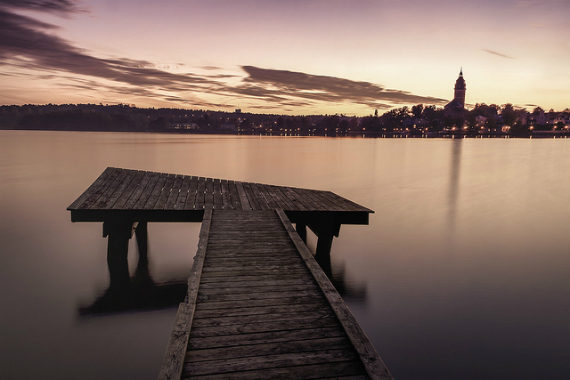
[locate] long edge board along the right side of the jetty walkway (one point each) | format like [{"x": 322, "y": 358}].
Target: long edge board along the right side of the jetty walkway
[{"x": 375, "y": 367}]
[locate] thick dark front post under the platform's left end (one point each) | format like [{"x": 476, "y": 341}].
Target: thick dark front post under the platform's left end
[{"x": 118, "y": 233}]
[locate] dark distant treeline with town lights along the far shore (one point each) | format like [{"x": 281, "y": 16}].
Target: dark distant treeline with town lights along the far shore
[{"x": 418, "y": 120}]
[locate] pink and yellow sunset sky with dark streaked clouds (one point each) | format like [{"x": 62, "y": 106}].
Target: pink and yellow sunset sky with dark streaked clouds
[{"x": 277, "y": 56}]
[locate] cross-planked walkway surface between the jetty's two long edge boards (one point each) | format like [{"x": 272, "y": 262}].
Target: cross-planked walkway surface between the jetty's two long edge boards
[{"x": 258, "y": 308}]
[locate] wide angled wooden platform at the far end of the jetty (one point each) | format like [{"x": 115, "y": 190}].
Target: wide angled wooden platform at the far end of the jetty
[{"x": 155, "y": 197}]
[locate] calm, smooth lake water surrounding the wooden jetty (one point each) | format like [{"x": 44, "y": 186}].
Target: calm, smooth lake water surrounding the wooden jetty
[{"x": 463, "y": 272}]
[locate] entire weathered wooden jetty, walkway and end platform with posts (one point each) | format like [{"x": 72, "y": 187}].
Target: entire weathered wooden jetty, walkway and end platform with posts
[{"x": 259, "y": 304}]
